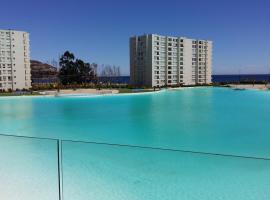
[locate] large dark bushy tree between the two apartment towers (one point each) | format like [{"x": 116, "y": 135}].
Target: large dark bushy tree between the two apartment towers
[{"x": 74, "y": 70}]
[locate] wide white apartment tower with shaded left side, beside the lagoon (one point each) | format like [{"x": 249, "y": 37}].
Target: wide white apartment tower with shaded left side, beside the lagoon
[{"x": 157, "y": 60}]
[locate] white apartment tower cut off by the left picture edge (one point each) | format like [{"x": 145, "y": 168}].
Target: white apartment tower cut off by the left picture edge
[{"x": 14, "y": 60}]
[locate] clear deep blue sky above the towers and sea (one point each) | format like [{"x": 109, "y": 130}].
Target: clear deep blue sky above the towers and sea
[{"x": 98, "y": 30}]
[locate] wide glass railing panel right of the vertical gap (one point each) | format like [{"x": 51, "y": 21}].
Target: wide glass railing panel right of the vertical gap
[{"x": 110, "y": 172}]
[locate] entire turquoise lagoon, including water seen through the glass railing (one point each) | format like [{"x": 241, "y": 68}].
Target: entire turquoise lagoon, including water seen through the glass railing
[{"x": 211, "y": 120}]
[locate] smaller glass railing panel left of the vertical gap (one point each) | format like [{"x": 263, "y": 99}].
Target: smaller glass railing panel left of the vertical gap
[{"x": 28, "y": 169}]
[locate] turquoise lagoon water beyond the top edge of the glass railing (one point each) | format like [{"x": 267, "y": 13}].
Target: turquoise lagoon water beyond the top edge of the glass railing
[{"x": 217, "y": 120}]
